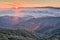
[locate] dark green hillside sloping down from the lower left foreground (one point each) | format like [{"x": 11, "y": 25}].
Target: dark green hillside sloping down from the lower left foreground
[{"x": 17, "y": 34}]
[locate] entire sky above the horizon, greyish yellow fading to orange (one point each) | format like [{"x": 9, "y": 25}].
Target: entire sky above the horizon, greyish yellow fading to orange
[{"x": 28, "y": 3}]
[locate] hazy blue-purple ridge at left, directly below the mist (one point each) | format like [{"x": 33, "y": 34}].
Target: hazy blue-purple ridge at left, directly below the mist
[{"x": 7, "y": 21}]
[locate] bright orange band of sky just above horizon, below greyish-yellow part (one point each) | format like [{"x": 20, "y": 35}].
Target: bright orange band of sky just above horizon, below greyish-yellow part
[{"x": 9, "y": 5}]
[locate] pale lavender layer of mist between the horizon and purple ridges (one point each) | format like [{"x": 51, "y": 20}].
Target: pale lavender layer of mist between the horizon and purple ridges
[{"x": 36, "y": 12}]
